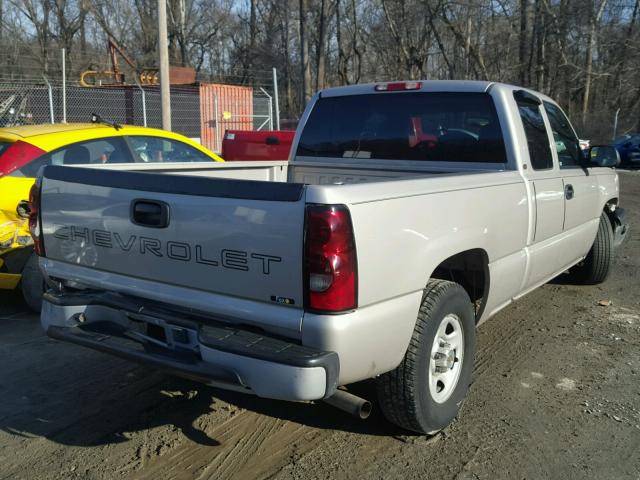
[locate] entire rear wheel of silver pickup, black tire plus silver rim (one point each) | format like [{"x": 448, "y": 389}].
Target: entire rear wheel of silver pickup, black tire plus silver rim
[{"x": 426, "y": 391}]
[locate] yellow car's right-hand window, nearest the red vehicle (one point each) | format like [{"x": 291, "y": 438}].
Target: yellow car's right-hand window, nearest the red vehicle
[{"x": 157, "y": 149}]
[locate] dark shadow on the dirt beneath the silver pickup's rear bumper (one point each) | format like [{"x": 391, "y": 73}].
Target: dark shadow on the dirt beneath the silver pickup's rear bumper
[{"x": 75, "y": 396}]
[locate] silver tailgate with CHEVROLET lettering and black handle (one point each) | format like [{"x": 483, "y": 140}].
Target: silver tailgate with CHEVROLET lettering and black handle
[{"x": 231, "y": 237}]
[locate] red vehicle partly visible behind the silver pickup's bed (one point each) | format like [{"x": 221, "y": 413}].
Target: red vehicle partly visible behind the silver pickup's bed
[{"x": 257, "y": 145}]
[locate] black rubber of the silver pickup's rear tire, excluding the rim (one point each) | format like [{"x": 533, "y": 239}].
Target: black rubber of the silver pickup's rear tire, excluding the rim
[{"x": 404, "y": 394}]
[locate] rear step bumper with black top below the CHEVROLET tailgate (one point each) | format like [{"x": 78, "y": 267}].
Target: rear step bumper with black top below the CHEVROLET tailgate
[{"x": 192, "y": 345}]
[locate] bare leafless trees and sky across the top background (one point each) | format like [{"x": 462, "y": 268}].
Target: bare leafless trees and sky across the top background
[{"x": 583, "y": 53}]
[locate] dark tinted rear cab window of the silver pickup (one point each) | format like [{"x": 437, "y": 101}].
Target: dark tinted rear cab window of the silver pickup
[{"x": 423, "y": 126}]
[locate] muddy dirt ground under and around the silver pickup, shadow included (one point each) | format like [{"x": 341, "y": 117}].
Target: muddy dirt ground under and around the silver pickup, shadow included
[{"x": 555, "y": 394}]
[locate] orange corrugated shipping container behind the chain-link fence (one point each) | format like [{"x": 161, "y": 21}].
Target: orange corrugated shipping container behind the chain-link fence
[{"x": 223, "y": 107}]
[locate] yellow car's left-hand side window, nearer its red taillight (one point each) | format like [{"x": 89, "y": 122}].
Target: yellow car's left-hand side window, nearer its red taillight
[{"x": 103, "y": 150}]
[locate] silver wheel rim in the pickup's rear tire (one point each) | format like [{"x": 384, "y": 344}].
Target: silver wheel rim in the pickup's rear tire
[{"x": 447, "y": 355}]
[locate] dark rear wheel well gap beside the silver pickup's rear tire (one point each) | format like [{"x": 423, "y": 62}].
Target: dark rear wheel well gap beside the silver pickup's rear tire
[{"x": 470, "y": 269}]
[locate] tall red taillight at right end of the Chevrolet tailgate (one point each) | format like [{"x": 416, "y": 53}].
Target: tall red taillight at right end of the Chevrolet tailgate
[{"x": 330, "y": 259}]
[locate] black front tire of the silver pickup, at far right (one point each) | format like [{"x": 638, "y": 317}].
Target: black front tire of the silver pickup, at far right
[{"x": 597, "y": 264}]
